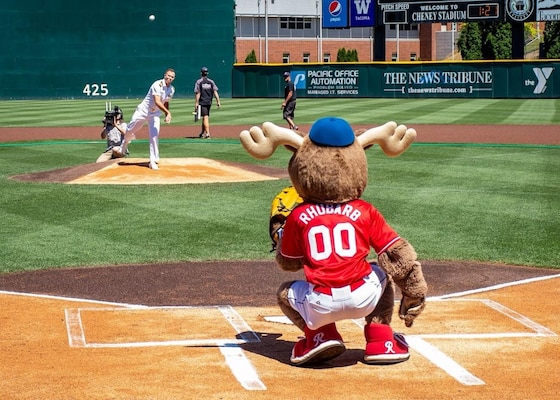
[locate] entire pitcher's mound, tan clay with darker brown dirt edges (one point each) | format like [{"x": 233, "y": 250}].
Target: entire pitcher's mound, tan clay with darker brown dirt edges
[{"x": 136, "y": 171}]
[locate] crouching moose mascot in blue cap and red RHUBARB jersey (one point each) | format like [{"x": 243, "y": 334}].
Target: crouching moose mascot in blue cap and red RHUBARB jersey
[{"x": 329, "y": 231}]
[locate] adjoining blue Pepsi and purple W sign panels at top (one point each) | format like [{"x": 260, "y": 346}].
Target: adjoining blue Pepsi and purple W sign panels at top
[{"x": 348, "y": 13}]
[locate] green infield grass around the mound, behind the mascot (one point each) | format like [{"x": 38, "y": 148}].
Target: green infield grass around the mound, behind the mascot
[{"x": 487, "y": 203}]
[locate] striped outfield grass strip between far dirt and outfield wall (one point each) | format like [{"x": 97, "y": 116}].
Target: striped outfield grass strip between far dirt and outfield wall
[{"x": 250, "y": 111}]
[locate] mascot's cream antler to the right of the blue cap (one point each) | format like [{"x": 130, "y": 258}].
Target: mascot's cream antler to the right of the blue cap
[{"x": 392, "y": 139}]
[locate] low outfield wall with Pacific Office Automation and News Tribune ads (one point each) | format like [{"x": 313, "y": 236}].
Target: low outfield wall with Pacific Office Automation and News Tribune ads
[{"x": 497, "y": 79}]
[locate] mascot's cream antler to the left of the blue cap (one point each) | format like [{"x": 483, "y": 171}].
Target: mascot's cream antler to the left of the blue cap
[{"x": 261, "y": 143}]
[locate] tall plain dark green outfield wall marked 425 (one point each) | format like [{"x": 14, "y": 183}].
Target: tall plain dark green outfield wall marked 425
[{"x": 111, "y": 49}]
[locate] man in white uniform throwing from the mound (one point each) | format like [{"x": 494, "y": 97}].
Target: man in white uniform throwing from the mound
[{"x": 149, "y": 110}]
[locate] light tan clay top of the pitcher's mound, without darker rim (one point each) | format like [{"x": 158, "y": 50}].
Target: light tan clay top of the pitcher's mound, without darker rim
[{"x": 136, "y": 171}]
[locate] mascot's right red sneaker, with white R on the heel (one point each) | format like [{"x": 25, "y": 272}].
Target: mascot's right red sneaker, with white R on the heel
[{"x": 383, "y": 346}]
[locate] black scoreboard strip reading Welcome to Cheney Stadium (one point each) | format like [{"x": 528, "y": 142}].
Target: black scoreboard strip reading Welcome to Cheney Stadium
[{"x": 423, "y": 11}]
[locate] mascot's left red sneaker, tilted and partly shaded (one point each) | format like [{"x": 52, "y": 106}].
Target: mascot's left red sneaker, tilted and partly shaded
[{"x": 318, "y": 346}]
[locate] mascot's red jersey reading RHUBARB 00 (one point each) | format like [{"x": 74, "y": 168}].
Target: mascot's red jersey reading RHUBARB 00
[{"x": 334, "y": 240}]
